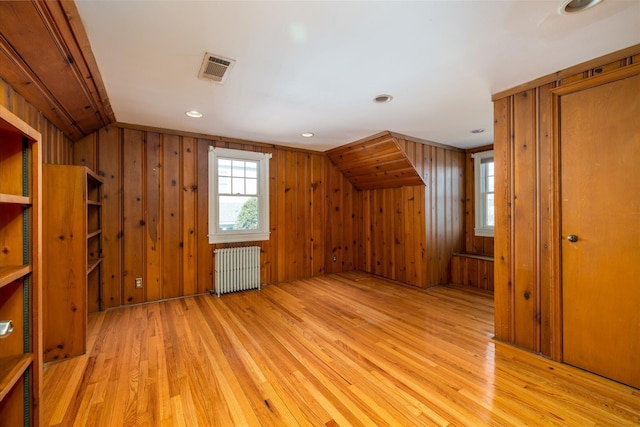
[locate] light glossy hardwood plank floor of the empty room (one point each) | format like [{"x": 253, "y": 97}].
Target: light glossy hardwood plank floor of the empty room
[{"x": 347, "y": 349}]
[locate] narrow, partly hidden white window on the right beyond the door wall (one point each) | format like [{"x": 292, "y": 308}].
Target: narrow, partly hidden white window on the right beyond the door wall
[{"x": 484, "y": 182}]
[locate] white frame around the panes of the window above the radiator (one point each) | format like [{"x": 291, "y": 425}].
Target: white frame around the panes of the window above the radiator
[{"x": 216, "y": 235}]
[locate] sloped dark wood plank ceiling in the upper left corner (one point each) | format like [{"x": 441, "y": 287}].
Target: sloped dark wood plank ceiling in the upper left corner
[{"x": 49, "y": 62}]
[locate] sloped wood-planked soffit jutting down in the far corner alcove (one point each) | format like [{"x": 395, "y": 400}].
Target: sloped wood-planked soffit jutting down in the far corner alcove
[{"x": 376, "y": 162}]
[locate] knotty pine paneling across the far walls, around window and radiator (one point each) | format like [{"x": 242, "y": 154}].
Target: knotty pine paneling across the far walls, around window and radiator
[{"x": 156, "y": 215}]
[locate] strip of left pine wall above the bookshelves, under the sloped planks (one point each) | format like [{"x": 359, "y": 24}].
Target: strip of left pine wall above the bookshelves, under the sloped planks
[{"x": 57, "y": 148}]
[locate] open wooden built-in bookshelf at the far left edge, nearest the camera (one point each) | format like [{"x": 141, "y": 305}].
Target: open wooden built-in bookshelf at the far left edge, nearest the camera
[{"x": 20, "y": 278}]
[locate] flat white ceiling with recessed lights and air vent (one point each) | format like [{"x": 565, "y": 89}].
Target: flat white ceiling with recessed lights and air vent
[{"x": 315, "y": 66}]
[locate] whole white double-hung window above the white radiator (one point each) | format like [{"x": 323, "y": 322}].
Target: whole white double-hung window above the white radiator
[{"x": 238, "y": 195}]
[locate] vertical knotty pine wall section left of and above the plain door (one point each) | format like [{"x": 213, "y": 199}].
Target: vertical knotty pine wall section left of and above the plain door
[{"x": 525, "y": 182}]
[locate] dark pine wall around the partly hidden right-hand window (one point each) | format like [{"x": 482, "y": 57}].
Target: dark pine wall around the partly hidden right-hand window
[{"x": 473, "y": 244}]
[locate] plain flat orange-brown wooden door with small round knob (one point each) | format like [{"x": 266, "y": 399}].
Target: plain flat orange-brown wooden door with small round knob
[{"x": 600, "y": 194}]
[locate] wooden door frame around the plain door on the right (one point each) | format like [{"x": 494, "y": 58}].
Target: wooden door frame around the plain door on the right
[{"x": 556, "y": 313}]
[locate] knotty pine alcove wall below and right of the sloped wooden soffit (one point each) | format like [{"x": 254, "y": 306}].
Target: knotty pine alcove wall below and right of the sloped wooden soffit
[{"x": 408, "y": 234}]
